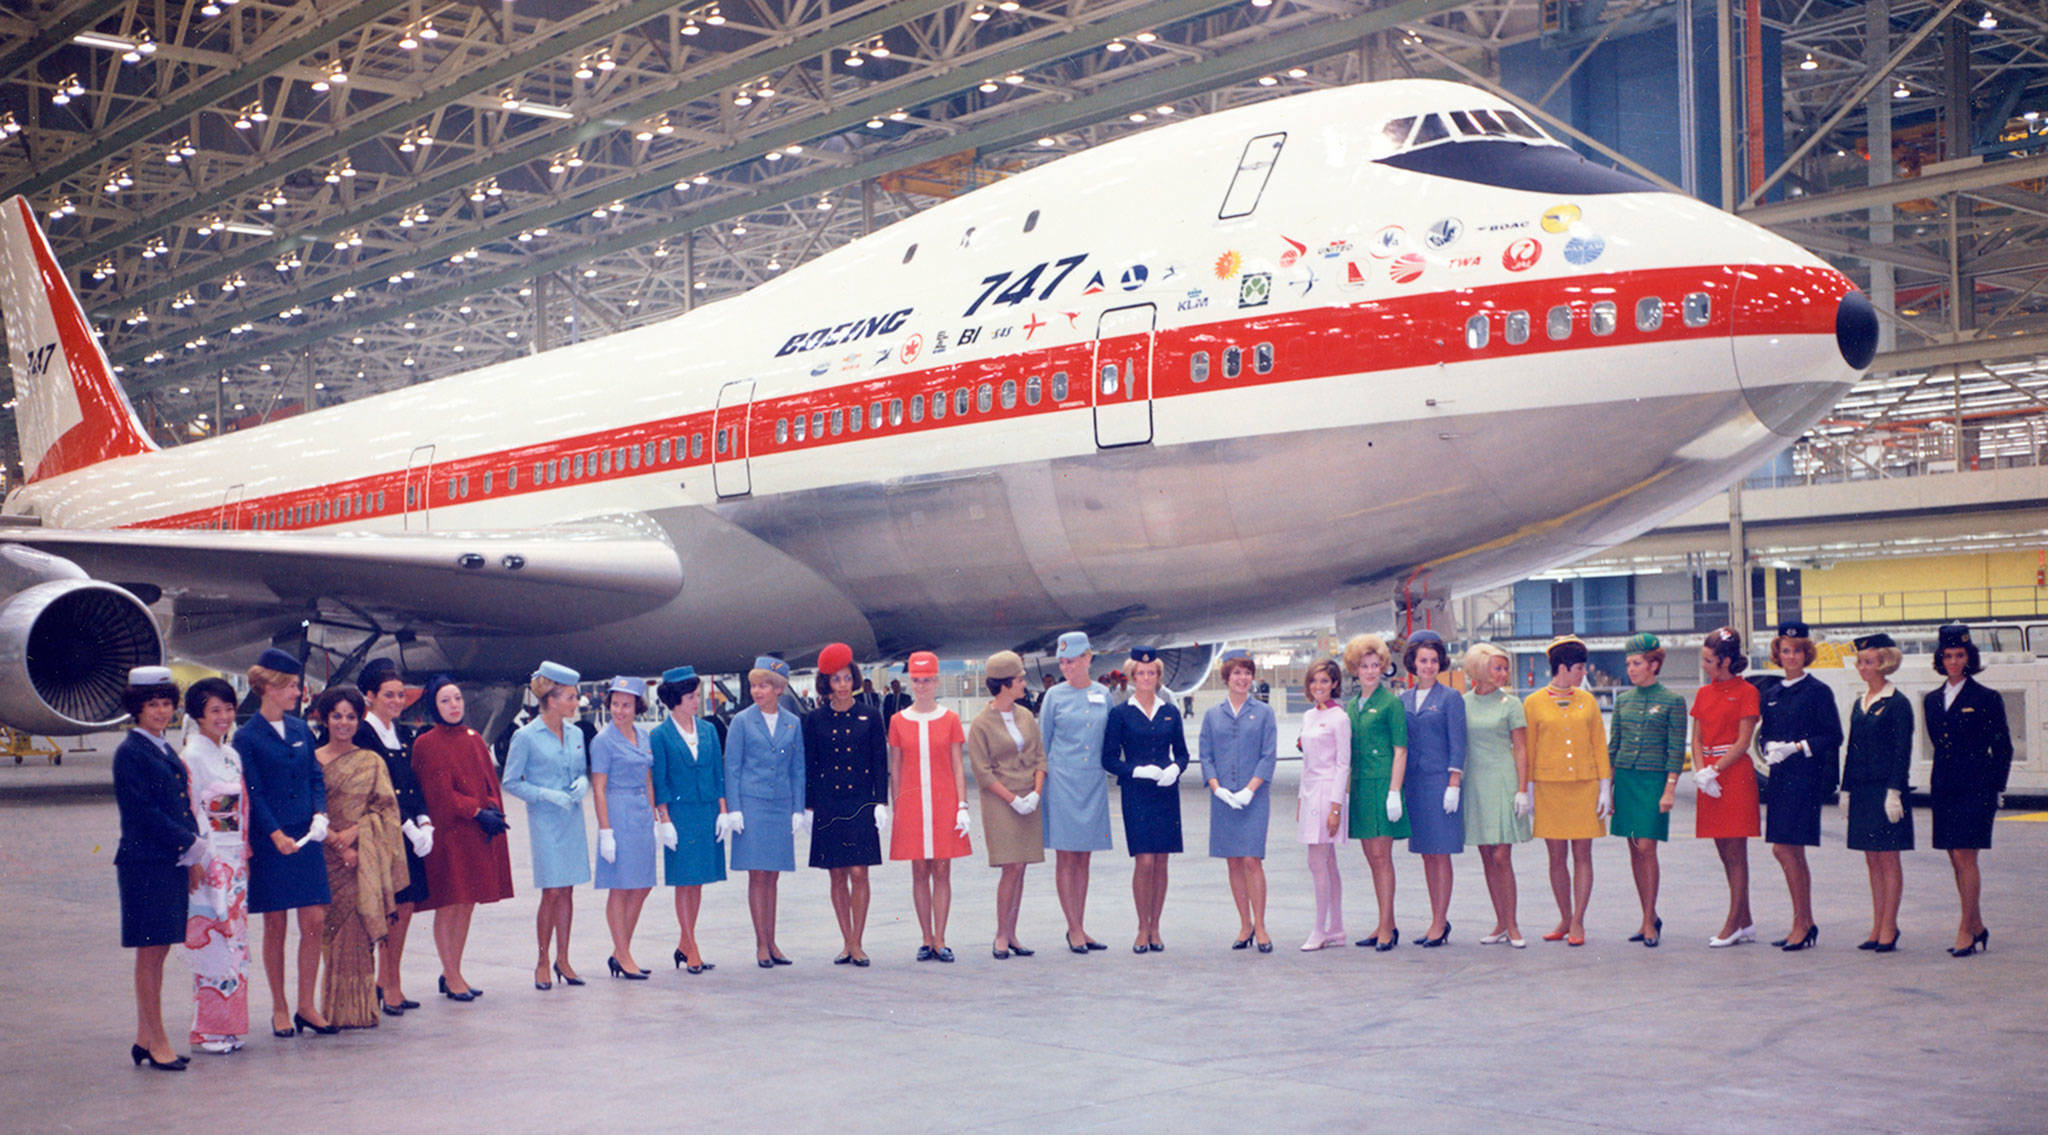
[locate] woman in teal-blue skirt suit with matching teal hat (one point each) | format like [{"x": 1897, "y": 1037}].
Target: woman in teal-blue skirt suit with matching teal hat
[{"x": 689, "y": 786}]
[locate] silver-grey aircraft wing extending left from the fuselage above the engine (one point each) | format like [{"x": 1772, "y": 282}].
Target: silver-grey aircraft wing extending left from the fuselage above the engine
[{"x": 554, "y": 579}]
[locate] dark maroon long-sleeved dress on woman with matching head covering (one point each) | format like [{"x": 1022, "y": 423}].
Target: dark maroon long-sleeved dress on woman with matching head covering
[{"x": 458, "y": 780}]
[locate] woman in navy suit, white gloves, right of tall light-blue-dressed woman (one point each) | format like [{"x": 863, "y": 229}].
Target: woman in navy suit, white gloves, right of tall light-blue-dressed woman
[{"x": 1146, "y": 749}]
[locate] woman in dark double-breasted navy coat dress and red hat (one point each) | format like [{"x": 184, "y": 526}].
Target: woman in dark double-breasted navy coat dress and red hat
[{"x": 847, "y": 792}]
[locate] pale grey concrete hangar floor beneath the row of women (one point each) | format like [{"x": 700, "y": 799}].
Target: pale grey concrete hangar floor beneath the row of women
[{"x": 1607, "y": 1038}]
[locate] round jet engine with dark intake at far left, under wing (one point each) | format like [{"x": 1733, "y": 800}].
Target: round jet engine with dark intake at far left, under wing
[{"x": 67, "y": 648}]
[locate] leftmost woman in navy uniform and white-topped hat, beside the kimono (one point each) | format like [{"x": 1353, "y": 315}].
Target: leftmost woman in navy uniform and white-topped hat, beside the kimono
[{"x": 159, "y": 859}]
